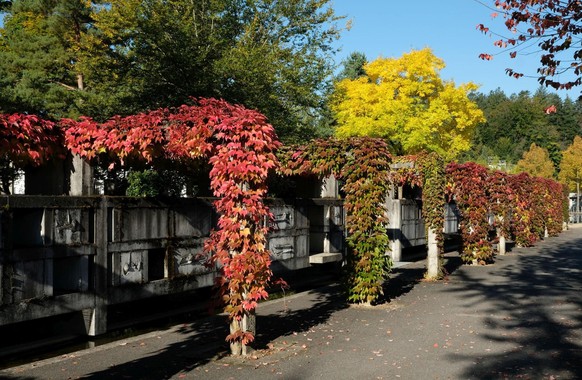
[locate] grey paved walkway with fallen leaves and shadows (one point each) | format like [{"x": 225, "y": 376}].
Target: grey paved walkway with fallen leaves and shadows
[{"x": 518, "y": 318}]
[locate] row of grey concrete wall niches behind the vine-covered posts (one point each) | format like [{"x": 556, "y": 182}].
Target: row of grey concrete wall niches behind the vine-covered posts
[{"x": 82, "y": 254}]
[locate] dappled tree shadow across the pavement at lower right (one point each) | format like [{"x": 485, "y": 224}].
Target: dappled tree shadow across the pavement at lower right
[{"x": 533, "y": 308}]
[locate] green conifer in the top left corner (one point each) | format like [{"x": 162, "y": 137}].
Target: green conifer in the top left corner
[{"x": 39, "y": 57}]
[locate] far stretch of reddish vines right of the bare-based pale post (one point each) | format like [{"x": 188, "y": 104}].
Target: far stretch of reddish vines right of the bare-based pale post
[{"x": 521, "y": 207}]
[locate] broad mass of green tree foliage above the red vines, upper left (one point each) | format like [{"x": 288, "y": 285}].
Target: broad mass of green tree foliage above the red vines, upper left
[{"x": 64, "y": 58}]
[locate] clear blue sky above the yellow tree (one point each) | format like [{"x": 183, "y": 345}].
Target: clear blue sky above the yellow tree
[{"x": 390, "y": 28}]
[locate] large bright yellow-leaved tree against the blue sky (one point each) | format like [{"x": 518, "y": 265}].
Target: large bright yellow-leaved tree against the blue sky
[{"x": 406, "y": 102}]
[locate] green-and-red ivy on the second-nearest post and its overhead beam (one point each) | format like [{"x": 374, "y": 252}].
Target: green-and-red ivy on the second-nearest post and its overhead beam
[{"x": 363, "y": 165}]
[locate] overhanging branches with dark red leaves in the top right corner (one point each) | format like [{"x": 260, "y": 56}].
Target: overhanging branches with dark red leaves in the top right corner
[{"x": 553, "y": 27}]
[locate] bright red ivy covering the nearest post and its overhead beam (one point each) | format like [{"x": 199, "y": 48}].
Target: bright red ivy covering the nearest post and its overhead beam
[{"x": 240, "y": 145}]
